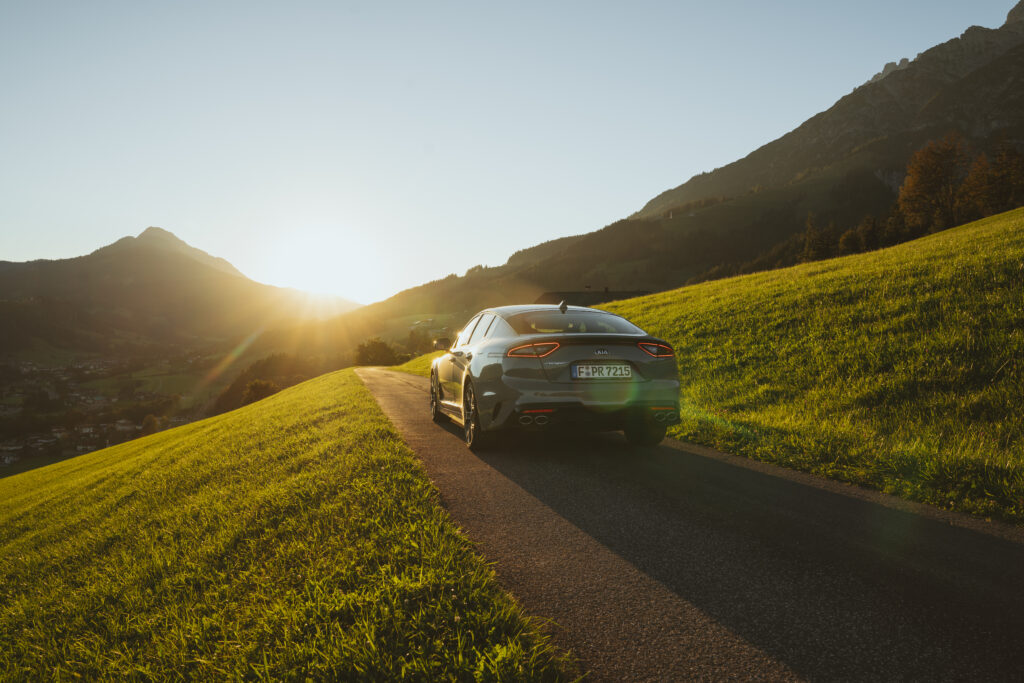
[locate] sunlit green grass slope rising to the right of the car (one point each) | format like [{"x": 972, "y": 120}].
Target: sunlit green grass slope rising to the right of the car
[{"x": 902, "y": 370}]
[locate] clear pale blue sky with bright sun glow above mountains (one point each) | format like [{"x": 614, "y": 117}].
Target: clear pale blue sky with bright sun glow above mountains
[{"x": 359, "y": 149}]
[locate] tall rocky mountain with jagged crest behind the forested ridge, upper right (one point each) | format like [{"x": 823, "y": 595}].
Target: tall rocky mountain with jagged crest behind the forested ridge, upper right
[{"x": 871, "y": 127}]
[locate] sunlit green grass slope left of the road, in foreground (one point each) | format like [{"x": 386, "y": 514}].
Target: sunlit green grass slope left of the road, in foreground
[{"x": 295, "y": 539}]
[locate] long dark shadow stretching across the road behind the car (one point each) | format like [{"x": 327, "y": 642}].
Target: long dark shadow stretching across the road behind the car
[{"x": 835, "y": 587}]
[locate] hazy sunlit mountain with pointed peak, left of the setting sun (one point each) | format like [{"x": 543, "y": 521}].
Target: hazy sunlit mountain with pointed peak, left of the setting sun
[{"x": 141, "y": 294}]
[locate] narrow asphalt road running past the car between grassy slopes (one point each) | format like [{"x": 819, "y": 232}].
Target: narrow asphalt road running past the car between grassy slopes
[{"x": 684, "y": 564}]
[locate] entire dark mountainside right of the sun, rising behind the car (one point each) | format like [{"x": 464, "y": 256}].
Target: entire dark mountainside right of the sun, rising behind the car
[{"x": 841, "y": 165}]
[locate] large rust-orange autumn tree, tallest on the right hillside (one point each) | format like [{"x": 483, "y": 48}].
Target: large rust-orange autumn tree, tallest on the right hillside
[{"x": 928, "y": 197}]
